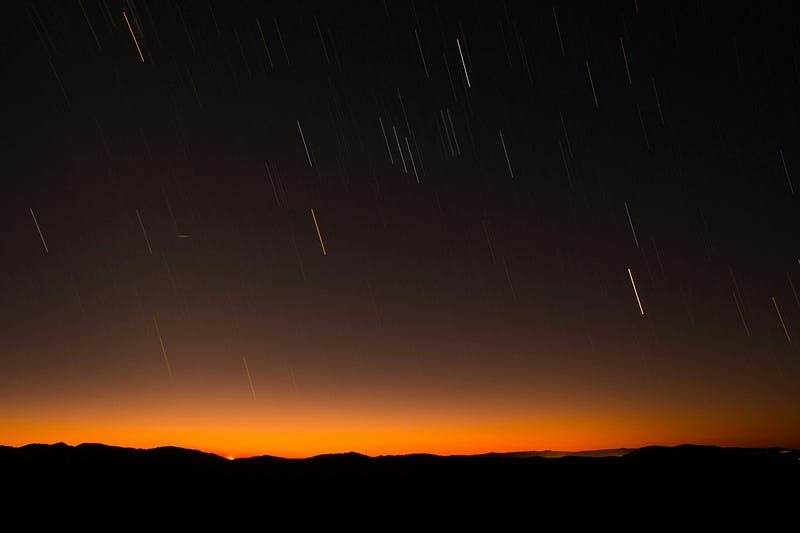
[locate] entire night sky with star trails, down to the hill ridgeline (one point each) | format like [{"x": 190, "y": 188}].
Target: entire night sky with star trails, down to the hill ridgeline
[{"x": 294, "y": 228}]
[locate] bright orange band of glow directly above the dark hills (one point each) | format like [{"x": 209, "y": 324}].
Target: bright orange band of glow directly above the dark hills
[{"x": 306, "y": 437}]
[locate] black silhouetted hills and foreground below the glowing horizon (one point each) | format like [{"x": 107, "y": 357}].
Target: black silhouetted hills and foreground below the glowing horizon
[{"x": 642, "y": 489}]
